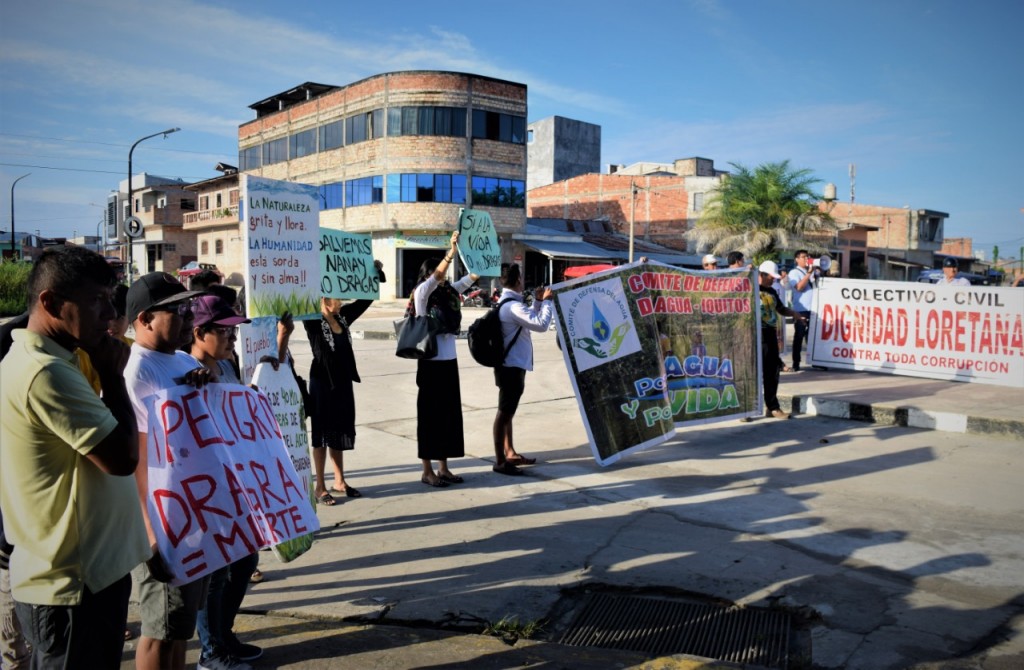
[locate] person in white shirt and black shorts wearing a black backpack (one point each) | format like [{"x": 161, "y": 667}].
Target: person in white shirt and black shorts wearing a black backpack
[{"x": 518, "y": 323}]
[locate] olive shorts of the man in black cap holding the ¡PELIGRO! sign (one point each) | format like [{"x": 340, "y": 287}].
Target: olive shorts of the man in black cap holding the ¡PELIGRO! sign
[{"x": 168, "y": 612}]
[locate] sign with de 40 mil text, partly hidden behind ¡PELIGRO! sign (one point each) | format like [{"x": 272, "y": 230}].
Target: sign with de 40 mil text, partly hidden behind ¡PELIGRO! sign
[{"x": 283, "y": 393}]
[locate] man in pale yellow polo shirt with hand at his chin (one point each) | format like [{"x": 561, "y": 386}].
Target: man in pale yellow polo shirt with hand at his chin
[{"x": 67, "y": 457}]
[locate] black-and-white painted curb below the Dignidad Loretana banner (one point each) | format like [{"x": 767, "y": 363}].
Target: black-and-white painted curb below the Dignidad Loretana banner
[{"x": 908, "y": 417}]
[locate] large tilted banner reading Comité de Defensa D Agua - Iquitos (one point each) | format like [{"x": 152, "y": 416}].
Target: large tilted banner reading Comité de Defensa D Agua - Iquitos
[{"x": 652, "y": 349}]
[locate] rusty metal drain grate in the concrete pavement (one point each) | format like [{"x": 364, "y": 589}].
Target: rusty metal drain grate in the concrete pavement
[{"x": 662, "y": 627}]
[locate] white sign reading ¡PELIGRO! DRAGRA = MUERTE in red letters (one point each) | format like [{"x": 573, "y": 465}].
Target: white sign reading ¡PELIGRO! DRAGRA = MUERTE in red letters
[{"x": 222, "y": 483}]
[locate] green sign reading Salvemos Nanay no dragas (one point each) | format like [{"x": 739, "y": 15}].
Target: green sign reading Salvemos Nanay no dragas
[{"x": 348, "y": 267}]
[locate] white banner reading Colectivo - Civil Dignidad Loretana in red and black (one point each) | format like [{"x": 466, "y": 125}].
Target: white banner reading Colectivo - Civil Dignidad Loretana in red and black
[{"x": 962, "y": 333}]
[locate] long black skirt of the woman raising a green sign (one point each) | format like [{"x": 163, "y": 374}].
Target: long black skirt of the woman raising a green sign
[{"x": 439, "y": 411}]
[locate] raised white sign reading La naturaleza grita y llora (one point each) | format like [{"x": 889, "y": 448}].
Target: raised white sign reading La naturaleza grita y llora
[{"x": 281, "y": 231}]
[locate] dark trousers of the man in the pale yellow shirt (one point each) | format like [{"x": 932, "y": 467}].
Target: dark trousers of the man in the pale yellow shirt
[{"x": 88, "y": 636}]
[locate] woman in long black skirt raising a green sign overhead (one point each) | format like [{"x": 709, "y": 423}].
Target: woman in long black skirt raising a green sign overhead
[{"x": 439, "y": 405}]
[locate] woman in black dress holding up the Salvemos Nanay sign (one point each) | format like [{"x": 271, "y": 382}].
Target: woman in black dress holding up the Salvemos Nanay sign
[{"x": 331, "y": 378}]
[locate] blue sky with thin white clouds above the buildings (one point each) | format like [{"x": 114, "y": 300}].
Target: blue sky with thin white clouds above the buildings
[{"x": 925, "y": 99}]
